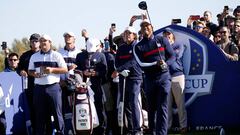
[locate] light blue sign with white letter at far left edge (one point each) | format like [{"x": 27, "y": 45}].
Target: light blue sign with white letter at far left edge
[{"x": 11, "y": 84}]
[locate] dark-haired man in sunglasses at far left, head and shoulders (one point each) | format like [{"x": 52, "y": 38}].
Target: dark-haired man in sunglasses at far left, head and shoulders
[{"x": 12, "y": 62}]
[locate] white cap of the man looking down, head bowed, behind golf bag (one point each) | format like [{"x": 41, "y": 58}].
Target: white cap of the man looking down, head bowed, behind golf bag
[{"x": 92, "y": 44}]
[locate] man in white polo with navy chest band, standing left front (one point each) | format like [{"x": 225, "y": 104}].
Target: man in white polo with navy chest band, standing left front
[{"x": 46, "y": 66}]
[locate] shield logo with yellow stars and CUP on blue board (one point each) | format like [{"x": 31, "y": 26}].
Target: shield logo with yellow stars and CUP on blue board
[{"x": 198, "y": 80}]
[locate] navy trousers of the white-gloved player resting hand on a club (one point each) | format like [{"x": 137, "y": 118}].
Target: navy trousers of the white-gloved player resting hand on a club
[{"x": 131, "y": 104}]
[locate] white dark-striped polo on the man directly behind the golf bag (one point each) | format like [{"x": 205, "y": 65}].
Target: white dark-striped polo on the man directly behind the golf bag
[{"x": 69, "y": 57}]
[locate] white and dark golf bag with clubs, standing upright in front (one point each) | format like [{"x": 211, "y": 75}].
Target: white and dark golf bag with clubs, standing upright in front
[{"x": 84, "y": 112}]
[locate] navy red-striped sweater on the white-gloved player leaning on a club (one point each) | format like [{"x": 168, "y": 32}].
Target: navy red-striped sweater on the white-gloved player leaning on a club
[{"x": 126, "y": 61}]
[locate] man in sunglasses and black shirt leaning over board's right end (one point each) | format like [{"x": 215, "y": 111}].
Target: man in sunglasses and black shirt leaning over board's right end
[{"x": 228, "y": 47}]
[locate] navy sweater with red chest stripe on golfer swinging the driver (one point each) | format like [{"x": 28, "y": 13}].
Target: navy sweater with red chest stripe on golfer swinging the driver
[{"x": 149, "y": 51}]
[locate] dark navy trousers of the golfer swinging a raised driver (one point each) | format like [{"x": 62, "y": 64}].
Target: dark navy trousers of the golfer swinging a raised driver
[{"x": 157, "y": 90}]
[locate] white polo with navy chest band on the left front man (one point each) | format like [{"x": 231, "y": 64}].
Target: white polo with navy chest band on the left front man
[{"x": 50, "y": 59}]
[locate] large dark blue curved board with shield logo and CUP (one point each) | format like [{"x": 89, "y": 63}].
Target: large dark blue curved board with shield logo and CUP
[{"x": 212, "y": 82}]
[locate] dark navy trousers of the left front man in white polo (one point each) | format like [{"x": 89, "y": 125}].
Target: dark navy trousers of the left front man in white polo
[{"x": 47, "y": 101}]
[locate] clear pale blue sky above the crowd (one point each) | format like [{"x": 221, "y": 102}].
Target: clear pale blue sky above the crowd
[{"x": 21, "y": 18}]
